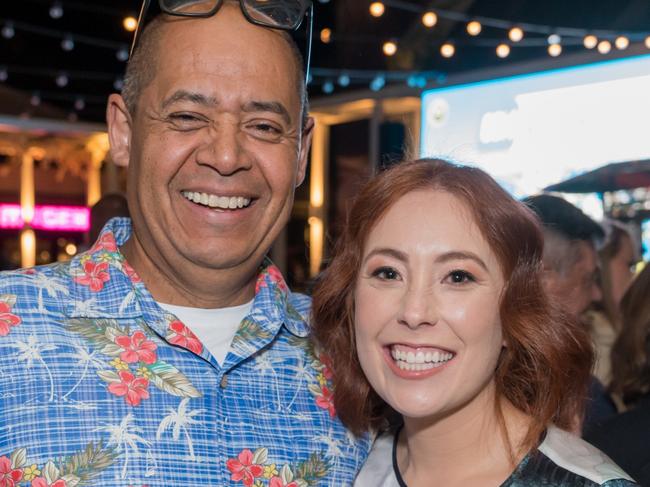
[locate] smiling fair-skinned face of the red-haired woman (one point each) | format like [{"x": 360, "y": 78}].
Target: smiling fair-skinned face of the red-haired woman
[{"x": 427, "y": 324}]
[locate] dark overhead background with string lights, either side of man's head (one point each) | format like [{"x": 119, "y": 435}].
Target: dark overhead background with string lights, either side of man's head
[{"x": 76, "y": 81}]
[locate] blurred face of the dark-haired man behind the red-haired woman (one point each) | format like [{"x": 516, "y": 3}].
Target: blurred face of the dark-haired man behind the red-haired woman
[{"x": 576, "y": 289}]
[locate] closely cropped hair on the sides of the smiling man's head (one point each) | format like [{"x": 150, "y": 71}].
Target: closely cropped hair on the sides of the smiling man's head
[{"x": 143, "y": 65}]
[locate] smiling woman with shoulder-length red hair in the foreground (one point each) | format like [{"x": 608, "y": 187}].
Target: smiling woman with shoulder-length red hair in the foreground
[{"x": 432, "y": 311}]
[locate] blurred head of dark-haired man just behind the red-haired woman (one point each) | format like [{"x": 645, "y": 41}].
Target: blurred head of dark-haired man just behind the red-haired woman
[{"x": 570, "y": 259}]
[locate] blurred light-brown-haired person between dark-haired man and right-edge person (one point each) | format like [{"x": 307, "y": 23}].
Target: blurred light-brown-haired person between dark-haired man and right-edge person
[{"x": 617, "y": 258}]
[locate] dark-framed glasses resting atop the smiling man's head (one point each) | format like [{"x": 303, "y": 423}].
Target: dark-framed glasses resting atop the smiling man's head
[{"x": 284, "y": 15}]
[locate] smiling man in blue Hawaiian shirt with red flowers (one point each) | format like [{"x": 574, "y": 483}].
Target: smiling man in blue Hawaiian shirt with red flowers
[{"x": 172, "y": 353}]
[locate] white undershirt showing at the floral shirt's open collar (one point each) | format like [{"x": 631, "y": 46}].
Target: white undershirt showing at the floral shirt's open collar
[{"x": 215, "y": 328}]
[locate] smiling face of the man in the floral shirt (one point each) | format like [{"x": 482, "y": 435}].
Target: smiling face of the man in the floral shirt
[{"x": 216, "y": 147}]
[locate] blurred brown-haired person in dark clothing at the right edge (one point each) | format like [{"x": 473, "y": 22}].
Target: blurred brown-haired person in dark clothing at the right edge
[{"x": 626, "y": 437}]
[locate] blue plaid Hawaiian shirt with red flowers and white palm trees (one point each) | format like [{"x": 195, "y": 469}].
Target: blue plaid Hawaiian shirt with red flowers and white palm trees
[{"x": 100, "y": 386}]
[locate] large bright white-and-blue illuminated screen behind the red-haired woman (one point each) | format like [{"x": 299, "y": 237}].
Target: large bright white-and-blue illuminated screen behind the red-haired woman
[{"x": 534, "y": 130}]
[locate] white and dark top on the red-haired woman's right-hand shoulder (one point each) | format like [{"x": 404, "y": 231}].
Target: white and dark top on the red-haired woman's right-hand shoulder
[{"x": 565, "y": 459}]
